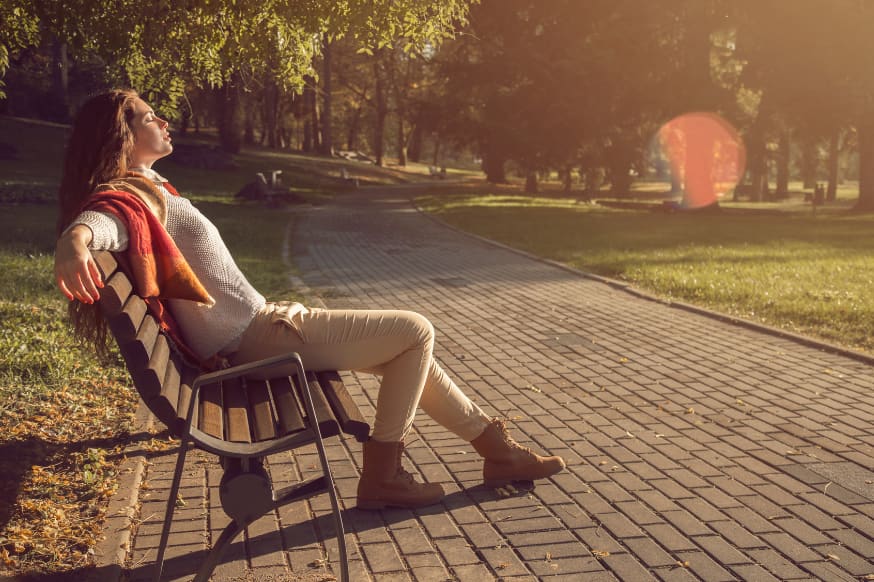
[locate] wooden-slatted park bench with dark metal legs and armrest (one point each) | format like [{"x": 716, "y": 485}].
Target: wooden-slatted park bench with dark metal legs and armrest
[{"x": 242, "y": 414}]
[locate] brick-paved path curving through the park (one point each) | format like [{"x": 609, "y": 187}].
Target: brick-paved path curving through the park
[{"x": 696, "y": 449}]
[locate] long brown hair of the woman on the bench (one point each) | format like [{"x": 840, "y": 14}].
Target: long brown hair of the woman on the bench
[{"x": 98, "y": 151}]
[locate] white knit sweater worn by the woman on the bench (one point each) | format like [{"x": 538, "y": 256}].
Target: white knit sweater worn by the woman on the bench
[{"x": 207, "y": 330}]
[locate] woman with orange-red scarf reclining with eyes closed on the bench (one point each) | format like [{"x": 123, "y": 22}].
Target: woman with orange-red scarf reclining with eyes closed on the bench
[{"x": 111, "y": 199}]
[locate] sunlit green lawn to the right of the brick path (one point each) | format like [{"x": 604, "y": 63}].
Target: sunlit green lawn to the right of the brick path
[{"x": 809, "y": 274}]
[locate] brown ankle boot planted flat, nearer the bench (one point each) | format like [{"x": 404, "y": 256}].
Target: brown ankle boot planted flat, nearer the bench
[{"x": 385, "y": 483}]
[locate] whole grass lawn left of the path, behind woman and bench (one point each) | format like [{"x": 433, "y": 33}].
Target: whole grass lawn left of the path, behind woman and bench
[{"x": 64, "y": 417}]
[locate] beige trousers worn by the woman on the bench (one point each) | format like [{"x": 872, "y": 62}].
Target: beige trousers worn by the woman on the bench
[{"x": 396, "y": 345}]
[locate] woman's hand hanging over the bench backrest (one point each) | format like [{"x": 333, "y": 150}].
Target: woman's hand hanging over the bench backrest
[{"x": 76, "y": 273}]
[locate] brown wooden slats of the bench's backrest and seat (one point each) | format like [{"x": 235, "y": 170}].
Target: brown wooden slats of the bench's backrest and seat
[{"x": 241, "y": 410}]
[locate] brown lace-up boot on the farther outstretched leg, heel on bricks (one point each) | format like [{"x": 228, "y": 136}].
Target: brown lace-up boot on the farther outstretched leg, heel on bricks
[{"x": 506, "y": 460}]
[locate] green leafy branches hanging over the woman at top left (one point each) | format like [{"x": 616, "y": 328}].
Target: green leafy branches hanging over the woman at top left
[{"x": 161, "y": 47}]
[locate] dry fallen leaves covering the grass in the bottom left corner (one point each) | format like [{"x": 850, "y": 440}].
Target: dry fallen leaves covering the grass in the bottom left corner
[{"x": 66, "y": 446}]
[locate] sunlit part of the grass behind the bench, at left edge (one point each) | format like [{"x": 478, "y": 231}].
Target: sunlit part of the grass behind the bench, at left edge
[{"x": 63, "y": 418}]
